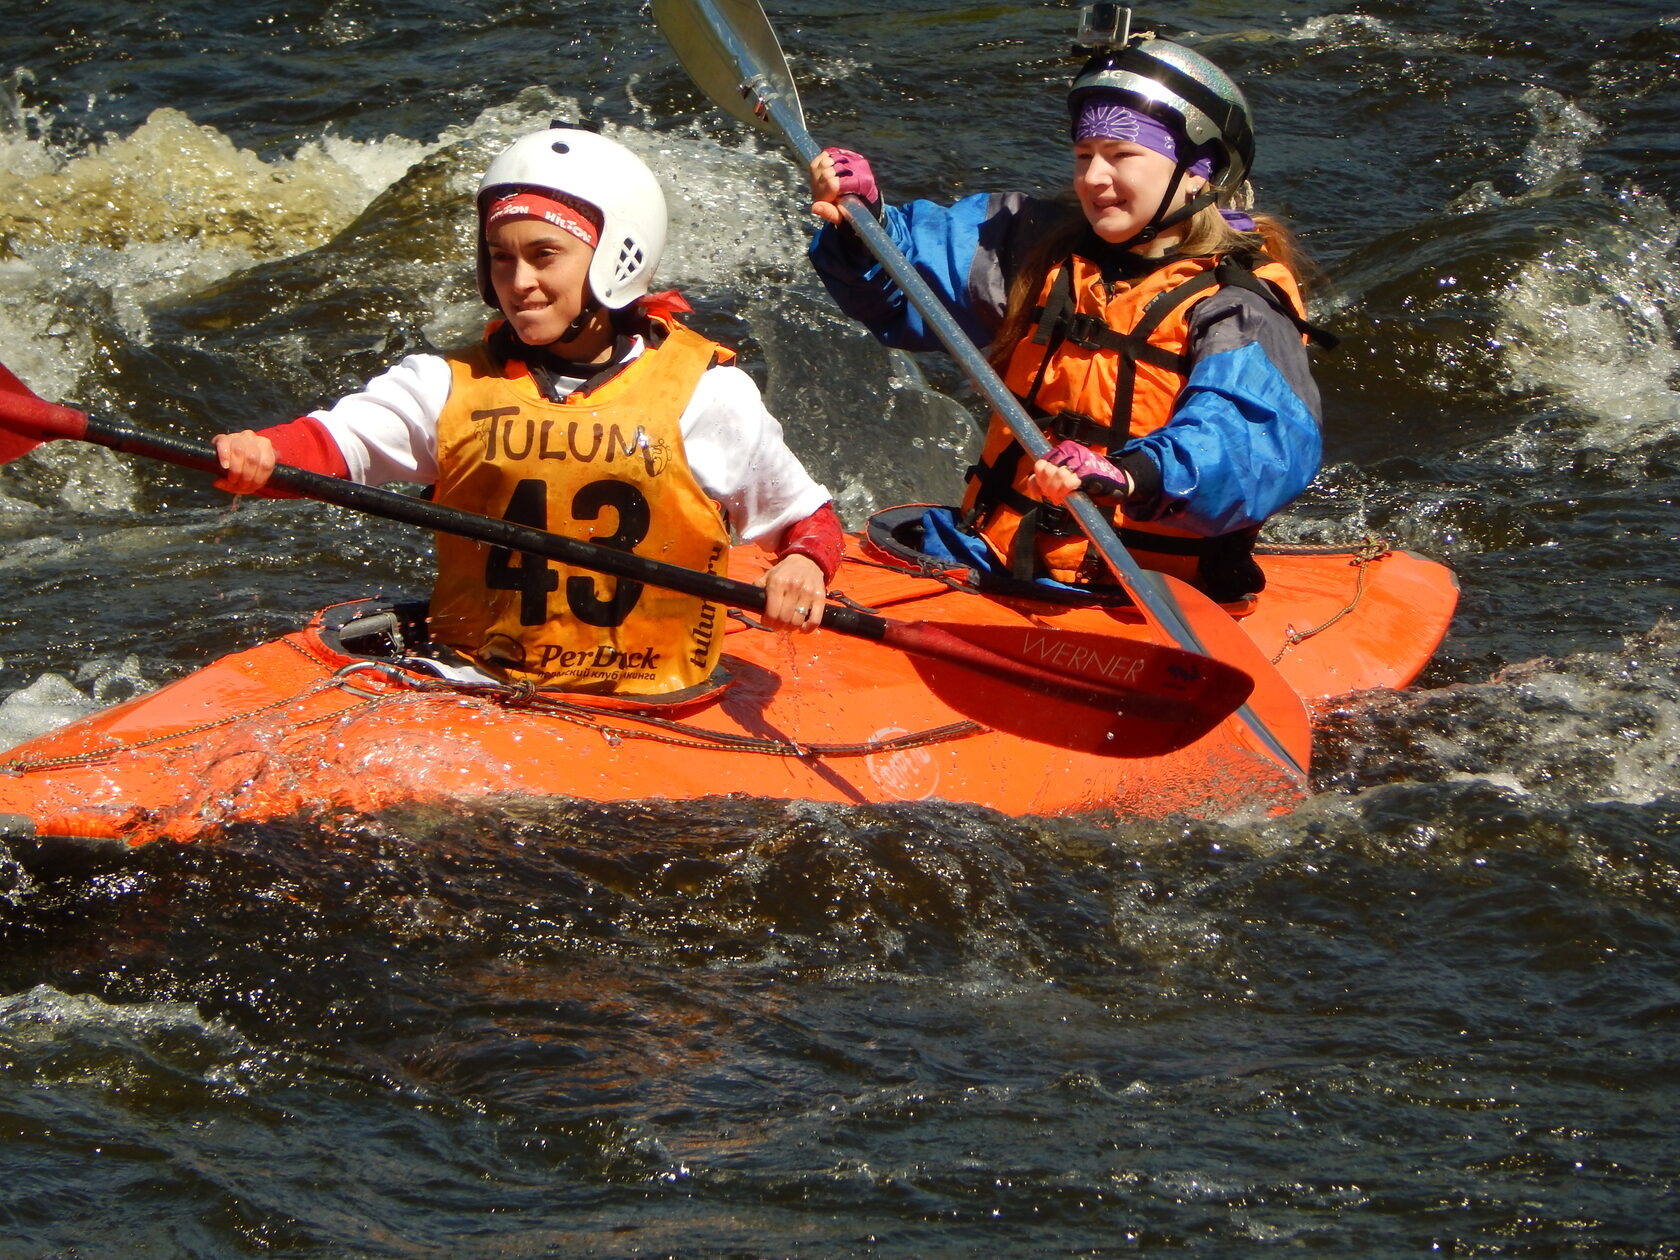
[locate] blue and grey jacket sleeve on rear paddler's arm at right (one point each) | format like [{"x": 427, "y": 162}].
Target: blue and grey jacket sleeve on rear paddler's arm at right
[{"x": 1244, "y": 441}]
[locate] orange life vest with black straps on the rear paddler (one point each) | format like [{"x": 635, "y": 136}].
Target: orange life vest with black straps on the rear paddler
[{"x": 1100, "y": 355}]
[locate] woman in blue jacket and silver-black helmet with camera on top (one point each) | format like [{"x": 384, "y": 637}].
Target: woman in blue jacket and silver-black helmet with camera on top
[{"x": 1155, "y": 330}]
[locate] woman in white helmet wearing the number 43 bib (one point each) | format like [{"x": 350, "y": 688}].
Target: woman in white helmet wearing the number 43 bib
[{"x": 587, "y": 411}]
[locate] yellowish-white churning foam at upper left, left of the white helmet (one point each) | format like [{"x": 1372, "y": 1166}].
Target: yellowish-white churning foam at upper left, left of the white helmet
[{"x": 160, "y": 214}]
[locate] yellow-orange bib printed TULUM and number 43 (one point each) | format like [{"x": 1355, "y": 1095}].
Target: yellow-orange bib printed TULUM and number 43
[{"x": 606, "y": 468}]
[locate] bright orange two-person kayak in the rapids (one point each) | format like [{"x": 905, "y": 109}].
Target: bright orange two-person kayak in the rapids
[{"x": 327, "y": 722}]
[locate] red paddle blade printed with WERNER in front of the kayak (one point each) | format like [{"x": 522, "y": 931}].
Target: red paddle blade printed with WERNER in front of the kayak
[{"x": 1093, "y": 693}]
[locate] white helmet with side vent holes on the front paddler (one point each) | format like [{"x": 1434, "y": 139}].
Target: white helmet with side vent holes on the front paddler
[{"x": 607, "y": 176}]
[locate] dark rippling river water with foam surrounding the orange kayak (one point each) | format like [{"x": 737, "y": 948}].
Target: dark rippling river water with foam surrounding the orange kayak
[{"x": 1432, "y": 1012}]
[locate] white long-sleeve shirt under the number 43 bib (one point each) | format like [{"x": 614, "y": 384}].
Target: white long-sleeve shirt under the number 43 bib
[{"x": 387, "y": 433}]
